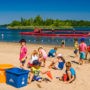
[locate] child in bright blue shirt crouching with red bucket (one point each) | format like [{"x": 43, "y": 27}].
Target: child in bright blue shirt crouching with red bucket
[{"x": 70, "y": 75}]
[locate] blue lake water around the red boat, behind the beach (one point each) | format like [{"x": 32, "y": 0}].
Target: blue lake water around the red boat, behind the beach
[{"x": 7, "y": 35}]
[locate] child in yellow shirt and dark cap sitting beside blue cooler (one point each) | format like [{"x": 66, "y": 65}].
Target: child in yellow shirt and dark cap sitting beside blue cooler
[{"x": 35, "y": 72}]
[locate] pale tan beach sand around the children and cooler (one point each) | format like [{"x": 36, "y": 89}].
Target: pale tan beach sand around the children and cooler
[{"x": 9, "y": 54}]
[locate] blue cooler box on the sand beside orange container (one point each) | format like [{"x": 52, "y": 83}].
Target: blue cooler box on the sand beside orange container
[{"x": 17, "y": 77}]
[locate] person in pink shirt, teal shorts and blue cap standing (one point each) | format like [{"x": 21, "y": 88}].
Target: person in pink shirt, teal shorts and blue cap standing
[{"x": 82, "y": 51}]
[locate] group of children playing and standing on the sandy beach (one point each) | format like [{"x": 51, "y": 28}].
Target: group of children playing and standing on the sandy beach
[{"x": 39, "y": 58}]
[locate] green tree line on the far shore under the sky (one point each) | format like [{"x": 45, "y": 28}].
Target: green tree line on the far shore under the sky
[{"x": 39, "y": 21}]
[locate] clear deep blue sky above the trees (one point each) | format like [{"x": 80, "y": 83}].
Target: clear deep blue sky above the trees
[{"x": 56, "y": 9}]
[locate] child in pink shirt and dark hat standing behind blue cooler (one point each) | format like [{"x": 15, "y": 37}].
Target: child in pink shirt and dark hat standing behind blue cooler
[{"x": 23, "y": 52}]
